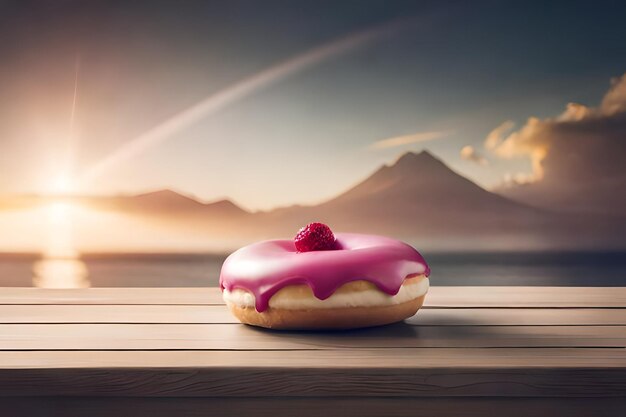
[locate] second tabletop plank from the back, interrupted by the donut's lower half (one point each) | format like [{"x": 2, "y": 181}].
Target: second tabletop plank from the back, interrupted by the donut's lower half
[{"x": 219, "y": 314}]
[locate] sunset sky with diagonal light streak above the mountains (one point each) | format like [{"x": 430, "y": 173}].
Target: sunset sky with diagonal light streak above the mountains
[{"x": 291, "y": 101}]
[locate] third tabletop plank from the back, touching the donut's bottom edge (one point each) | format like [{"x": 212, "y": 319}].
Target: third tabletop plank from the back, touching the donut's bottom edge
[{"x": 228, "y": 336}]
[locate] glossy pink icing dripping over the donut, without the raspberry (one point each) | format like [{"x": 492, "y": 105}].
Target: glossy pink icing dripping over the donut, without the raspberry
[{"x": 264, "y": 268}]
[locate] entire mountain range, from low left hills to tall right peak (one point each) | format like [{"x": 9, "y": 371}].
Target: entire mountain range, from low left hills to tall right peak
[{"x": 418, "y": 198}]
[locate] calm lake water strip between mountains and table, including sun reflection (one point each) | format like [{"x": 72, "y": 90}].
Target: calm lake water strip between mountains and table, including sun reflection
[{"x": 194, "y": 270}]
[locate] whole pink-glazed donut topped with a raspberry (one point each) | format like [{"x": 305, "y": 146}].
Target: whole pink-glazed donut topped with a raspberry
[{"x": 347, "y": 281}]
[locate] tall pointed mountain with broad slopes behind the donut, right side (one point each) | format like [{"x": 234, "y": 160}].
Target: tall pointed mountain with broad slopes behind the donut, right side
[{"x": 420, "y": 199}]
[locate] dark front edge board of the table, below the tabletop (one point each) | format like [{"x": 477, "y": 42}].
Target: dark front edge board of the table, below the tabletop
[{"x": 308, "y": 382}]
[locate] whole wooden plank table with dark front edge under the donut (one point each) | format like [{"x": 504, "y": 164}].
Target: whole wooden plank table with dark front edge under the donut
[{"x": 472, "y": 351}]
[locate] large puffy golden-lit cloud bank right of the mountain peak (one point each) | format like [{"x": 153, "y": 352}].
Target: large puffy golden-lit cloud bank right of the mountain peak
[{"x": 581, "y": 145}]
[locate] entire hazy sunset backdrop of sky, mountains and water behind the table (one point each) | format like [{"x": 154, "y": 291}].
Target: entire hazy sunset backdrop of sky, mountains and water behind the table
[{"x": 140, "y": 142}]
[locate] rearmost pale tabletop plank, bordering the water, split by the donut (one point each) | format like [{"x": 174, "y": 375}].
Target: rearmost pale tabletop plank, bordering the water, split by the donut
[{"x": 505, "y": 297}]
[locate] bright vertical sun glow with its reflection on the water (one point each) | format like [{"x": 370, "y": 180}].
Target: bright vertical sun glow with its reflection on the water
[{"x": 60, "y": 266}]
